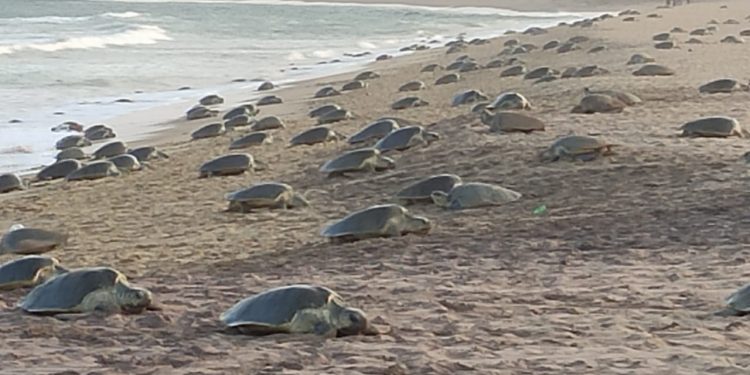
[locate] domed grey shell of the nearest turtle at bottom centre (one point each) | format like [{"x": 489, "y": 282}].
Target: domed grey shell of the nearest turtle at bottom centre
[{"x": 272, "y": 310}]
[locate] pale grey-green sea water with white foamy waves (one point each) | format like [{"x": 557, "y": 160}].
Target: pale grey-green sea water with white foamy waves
[{"x": 78, "y": 57}]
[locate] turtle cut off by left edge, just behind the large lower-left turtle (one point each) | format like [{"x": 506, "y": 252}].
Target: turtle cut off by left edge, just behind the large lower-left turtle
[{"x": 28, "y": 271}]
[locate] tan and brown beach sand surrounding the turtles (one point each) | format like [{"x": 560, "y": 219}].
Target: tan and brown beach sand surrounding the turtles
[{"x": 620, "y": 277}]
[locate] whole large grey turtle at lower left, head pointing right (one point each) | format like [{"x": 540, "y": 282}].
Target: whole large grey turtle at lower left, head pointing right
[{"x": 85, "y": 291}]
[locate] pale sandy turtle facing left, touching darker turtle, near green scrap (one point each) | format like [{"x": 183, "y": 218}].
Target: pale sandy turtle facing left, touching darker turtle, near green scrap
[{"x": 473, "y": 195}]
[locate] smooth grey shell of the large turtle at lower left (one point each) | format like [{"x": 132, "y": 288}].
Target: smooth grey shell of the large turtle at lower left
[{"x": 65, "y": 292}]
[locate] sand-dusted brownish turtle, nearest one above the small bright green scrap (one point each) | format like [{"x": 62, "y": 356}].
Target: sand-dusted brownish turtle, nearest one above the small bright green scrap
[{"x": 576, "y": 147}]
